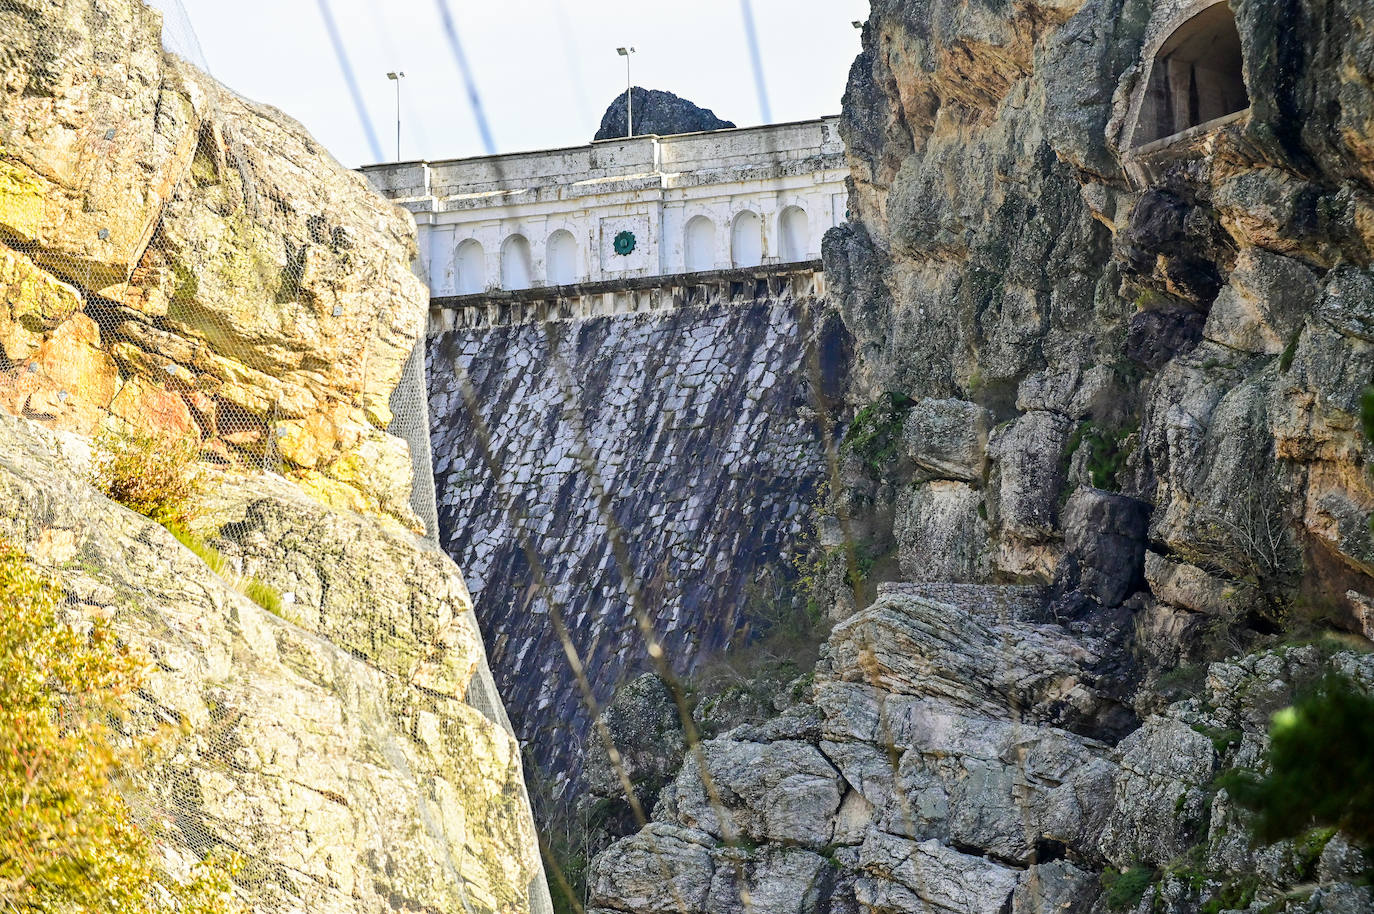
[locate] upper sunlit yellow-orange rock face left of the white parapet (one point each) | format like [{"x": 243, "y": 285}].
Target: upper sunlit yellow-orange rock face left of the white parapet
[{"x": 229, "y": 280}]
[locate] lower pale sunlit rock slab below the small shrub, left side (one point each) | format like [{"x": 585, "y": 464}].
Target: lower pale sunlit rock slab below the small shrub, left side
[{"x": 337, "y": 754}]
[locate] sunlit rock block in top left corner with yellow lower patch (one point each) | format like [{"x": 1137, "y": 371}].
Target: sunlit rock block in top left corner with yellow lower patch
[{"x": 95, "y": 140}]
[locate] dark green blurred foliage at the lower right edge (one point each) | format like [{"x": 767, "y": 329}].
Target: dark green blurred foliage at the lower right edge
[{"x": 1321, "y": 768}]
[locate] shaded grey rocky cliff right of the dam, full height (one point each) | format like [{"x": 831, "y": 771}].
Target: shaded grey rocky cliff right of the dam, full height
[{"x": 1108, "y": 281}]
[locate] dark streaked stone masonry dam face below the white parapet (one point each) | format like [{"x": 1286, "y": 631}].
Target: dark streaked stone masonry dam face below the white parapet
[{"x": 699, "y": 424}]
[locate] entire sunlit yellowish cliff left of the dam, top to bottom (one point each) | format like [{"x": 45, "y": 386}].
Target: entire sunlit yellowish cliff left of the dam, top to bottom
[{"x": 189, "y": 269}]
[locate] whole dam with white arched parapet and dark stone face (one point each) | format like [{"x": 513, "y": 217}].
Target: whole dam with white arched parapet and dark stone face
[{"x": 629, "y": 368}]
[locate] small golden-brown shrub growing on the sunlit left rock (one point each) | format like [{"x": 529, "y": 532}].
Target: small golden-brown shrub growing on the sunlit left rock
[{"x": 150, "y": 475}]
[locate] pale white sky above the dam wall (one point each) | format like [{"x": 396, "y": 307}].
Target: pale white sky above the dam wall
[{"x": 545, "y": 69}]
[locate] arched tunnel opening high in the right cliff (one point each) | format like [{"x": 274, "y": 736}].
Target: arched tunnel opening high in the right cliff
[{"x": 1197, "y": 78}]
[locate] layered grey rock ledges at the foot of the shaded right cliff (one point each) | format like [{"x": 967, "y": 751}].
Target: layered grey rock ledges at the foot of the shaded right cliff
[{"x": 890, "y": 790}]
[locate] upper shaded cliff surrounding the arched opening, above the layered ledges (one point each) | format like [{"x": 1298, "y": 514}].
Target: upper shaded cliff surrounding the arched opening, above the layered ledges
[{"x": 1180, "y": 322}]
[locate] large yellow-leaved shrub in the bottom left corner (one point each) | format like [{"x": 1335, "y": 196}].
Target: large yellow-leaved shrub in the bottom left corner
[{"x": 68, "y": 842}]
